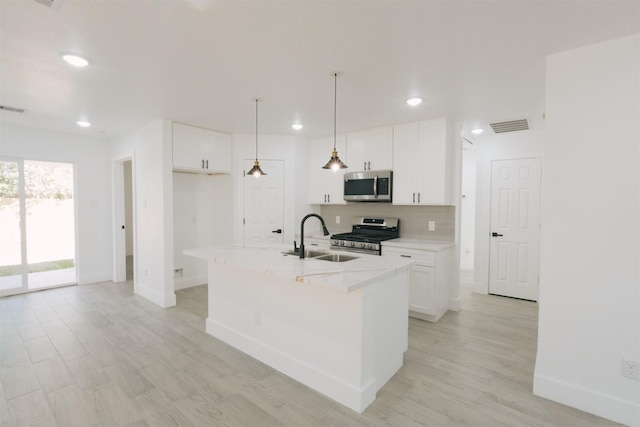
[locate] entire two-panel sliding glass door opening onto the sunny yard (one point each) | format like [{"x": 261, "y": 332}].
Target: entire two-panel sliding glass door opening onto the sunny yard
[{"x": 37, "y": 225}]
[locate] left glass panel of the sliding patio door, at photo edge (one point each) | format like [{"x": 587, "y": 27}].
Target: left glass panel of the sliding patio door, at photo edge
[{"x": 11, "y": 267}]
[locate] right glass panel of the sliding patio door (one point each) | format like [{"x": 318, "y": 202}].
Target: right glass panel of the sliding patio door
[{"x": 50, "y": 231}]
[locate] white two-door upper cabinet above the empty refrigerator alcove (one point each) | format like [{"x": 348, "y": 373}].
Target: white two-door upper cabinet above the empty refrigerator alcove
[{"x": 200, "y": 150}]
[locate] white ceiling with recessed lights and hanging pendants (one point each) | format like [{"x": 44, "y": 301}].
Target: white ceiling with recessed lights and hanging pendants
[{"x": 204, "y": 62}]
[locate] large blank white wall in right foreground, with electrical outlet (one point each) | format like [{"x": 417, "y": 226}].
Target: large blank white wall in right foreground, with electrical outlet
[{"x": 590, "y": 247}]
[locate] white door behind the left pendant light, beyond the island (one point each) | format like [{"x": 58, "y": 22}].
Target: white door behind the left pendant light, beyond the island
[{"x": 264, "y": 204}]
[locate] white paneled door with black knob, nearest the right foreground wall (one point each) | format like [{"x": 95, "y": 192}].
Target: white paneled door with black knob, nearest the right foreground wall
[{"x": 515, "y": 228}]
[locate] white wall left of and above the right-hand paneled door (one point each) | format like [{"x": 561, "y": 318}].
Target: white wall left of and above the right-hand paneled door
[{"x": 512, "y": 145}]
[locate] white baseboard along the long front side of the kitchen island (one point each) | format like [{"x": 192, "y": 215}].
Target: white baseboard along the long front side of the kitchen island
[{"x": 353, "y": 397}]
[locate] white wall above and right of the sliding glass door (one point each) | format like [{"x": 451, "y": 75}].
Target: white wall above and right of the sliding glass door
[{"x": 90, "y": 156}]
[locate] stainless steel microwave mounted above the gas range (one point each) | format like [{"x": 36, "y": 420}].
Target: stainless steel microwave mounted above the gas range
[{"x": 368, "y": 186}]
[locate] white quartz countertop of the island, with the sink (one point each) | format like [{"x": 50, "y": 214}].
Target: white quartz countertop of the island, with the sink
[{"x": 341, "y": 276}]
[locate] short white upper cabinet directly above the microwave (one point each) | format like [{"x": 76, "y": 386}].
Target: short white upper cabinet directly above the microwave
[{"x": 370, "y": 150}]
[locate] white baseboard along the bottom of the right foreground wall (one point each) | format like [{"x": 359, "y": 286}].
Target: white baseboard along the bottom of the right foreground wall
[{"x": 591, "y": 401}]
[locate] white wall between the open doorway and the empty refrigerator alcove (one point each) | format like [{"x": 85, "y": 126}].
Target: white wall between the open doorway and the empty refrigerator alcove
[{"x": 150, "y": 149}]
